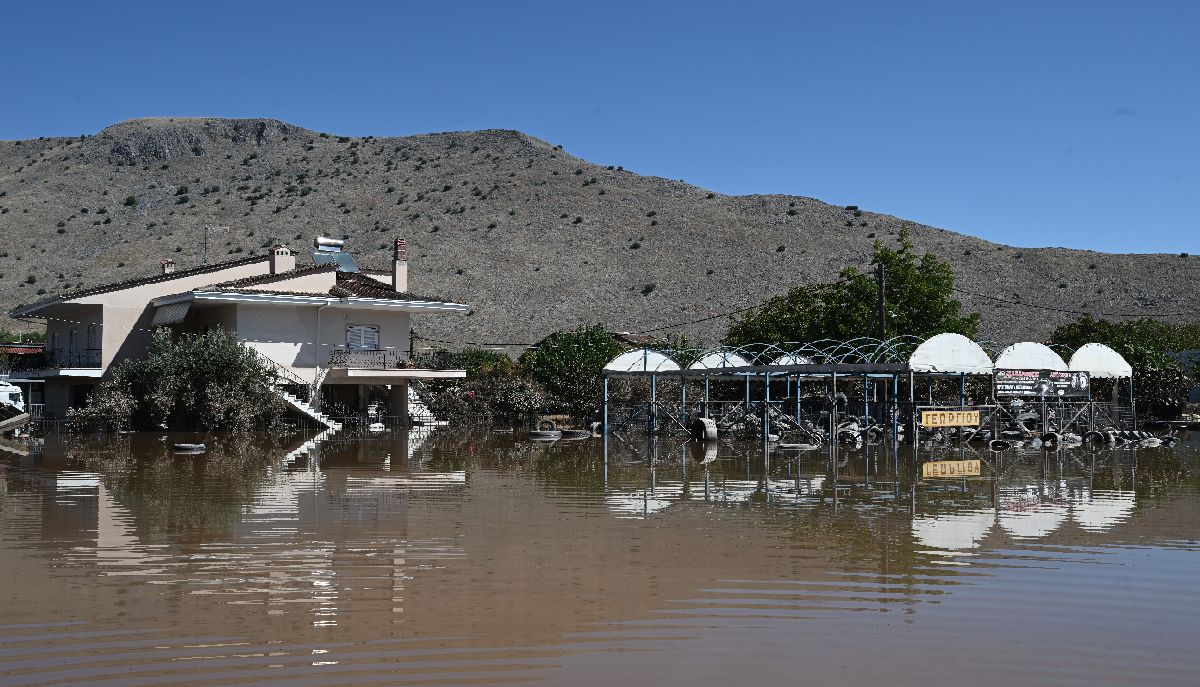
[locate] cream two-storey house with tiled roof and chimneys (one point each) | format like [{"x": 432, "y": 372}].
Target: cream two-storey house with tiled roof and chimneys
[{"x": 329, "y": 322}]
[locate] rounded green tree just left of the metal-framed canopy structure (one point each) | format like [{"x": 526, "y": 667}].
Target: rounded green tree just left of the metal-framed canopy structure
[{"x": 569, "y": 365}]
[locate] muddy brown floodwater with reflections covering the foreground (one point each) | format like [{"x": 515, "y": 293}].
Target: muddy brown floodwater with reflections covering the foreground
[{"x": 461, "y": 559}]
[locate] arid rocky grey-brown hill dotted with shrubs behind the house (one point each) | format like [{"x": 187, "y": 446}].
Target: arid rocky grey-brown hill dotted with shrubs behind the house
[{"x": 535, "y": 238}]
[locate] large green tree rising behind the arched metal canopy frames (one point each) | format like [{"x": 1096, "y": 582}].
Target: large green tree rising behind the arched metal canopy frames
[{"x": 919, "y": 294}]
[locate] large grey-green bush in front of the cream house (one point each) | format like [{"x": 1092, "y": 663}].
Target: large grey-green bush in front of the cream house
[{"x": 209, "y": 381}]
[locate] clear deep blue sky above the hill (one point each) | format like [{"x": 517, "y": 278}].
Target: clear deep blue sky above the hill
[{"x": 1064, "y": 124}]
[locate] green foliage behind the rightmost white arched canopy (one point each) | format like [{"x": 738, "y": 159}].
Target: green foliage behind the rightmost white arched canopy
[{"x": 1161, "y": 383}]
